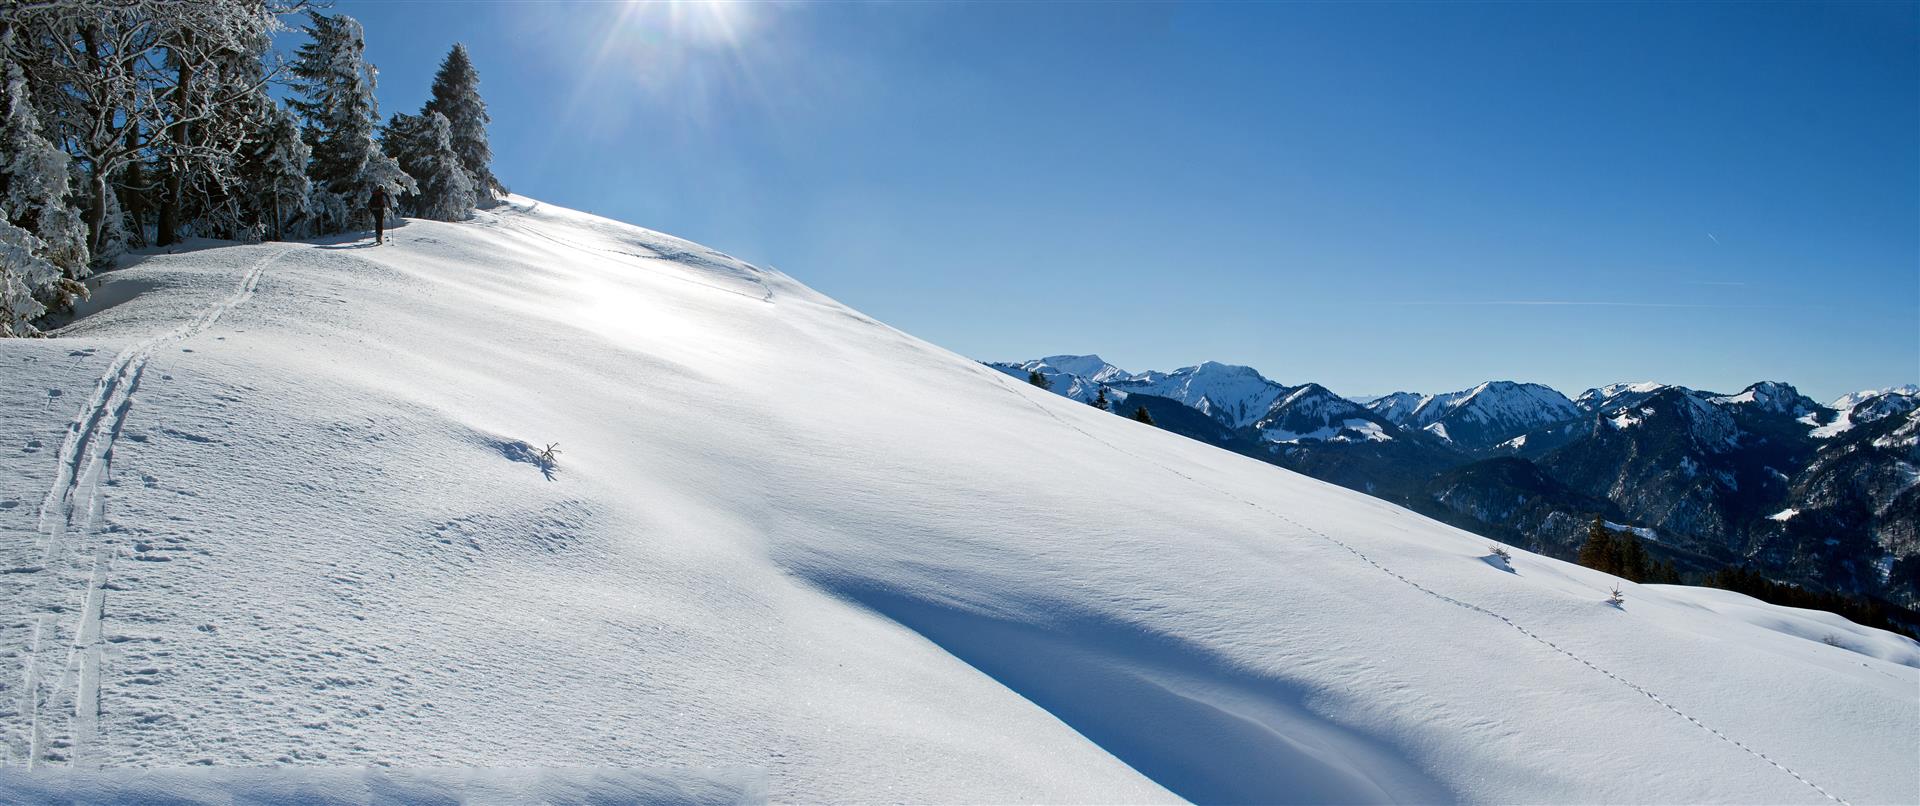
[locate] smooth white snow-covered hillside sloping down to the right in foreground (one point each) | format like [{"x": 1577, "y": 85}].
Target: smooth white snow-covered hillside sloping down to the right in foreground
[{"x": 281, "y": 510}]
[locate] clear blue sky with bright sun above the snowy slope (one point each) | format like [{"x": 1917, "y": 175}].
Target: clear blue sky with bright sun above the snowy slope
[{"x": 1372, "y": 197}]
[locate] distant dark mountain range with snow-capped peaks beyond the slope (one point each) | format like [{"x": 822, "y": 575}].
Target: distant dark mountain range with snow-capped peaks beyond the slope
[{"x": 1823, "y": 496}]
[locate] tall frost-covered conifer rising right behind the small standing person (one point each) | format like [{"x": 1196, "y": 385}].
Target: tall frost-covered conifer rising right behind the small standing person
[{"x": 339, "y": 108}]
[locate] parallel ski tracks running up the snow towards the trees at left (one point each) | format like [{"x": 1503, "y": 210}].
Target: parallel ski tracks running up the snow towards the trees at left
[{"x": 85, "y": 462}]
